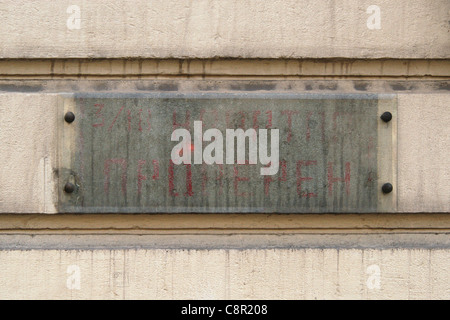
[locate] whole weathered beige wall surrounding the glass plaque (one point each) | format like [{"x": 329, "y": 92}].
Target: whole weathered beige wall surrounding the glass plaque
[{"x": 403, "y": 255}]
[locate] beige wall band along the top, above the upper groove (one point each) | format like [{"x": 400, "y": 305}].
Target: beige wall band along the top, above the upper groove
[{"x": 234, "y": 28}]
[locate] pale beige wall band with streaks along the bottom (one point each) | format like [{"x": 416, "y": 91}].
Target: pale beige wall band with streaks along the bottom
[{"x": 225, "y": 274}]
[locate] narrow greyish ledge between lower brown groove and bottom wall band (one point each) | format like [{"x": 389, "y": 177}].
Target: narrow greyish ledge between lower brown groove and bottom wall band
[{"x": 398, "y": 241}]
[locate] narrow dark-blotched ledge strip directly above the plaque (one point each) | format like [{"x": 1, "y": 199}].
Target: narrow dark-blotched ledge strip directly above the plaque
[{"x": 224, "y": 85}]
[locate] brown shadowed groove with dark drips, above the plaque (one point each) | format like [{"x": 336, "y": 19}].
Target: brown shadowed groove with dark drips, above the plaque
[{"x": 227, "y": 68}]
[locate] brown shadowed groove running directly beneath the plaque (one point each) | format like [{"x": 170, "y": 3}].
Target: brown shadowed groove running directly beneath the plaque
[{"x": 225, "y": 224}]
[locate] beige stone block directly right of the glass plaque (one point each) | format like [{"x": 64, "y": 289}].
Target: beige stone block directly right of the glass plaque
[{"x": 423, "y": 153}]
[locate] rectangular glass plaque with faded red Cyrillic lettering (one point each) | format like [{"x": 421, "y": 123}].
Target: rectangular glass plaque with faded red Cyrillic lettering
[{"x": 226, "y": 153}]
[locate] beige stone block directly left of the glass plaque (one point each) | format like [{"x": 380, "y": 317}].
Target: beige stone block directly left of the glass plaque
[{"x": 27, "y": 135}]
